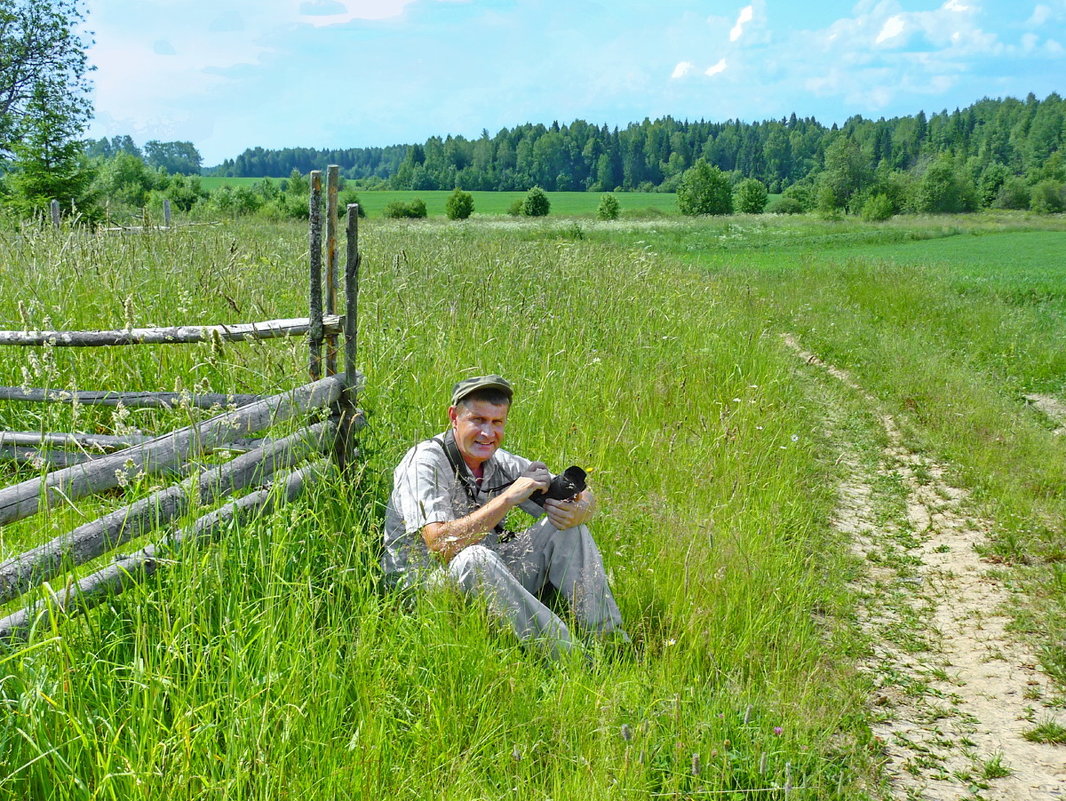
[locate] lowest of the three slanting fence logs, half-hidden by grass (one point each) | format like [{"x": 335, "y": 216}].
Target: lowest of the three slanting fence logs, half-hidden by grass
[{"x": 135, "y": 568}]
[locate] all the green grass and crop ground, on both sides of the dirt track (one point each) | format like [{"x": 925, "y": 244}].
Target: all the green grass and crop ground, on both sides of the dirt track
[{"x": 272, "y": 665}]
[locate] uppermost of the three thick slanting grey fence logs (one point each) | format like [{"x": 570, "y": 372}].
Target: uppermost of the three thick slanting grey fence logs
[{"x": 26, "y": 499}]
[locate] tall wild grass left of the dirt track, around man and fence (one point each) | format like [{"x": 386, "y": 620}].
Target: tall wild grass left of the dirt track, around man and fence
[{"x": 272, "y": 666}]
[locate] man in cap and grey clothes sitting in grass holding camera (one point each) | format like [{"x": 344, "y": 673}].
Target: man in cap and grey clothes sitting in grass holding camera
[{"x": 450, "y": 495}]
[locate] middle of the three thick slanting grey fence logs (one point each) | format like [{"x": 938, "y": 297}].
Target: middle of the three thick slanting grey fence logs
[{"x": 96, "y": 538}]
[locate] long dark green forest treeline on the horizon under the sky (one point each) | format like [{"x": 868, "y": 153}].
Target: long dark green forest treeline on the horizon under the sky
[{"x": 1020, "y": 137}]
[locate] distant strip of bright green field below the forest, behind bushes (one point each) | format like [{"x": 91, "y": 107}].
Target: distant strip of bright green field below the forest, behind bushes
[{"x": 578, "y": 204}]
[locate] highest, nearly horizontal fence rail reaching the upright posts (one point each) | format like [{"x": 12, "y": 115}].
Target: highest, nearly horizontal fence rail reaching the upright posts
[{"x": 173, "y": 335}]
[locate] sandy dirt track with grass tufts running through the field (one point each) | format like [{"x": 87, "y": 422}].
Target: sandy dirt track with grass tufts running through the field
[{"x": 956, "y": 692}]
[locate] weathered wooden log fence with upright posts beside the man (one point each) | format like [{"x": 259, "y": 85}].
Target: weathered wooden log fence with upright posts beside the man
[{"x": 83, "y": 464}]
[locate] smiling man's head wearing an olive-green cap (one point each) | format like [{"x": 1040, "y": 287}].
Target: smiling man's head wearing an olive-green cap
[{"x": 478, "y": 415}]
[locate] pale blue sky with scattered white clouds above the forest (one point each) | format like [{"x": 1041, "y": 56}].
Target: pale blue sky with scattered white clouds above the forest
[{"x": 234, "y": 74}]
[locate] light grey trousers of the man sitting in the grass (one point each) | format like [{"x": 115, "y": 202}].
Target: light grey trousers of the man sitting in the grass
[{"x": 514, "y": 576}]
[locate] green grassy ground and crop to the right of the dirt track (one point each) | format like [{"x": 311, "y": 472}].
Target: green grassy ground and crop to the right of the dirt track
[{"x": 950, "y": 327}]
